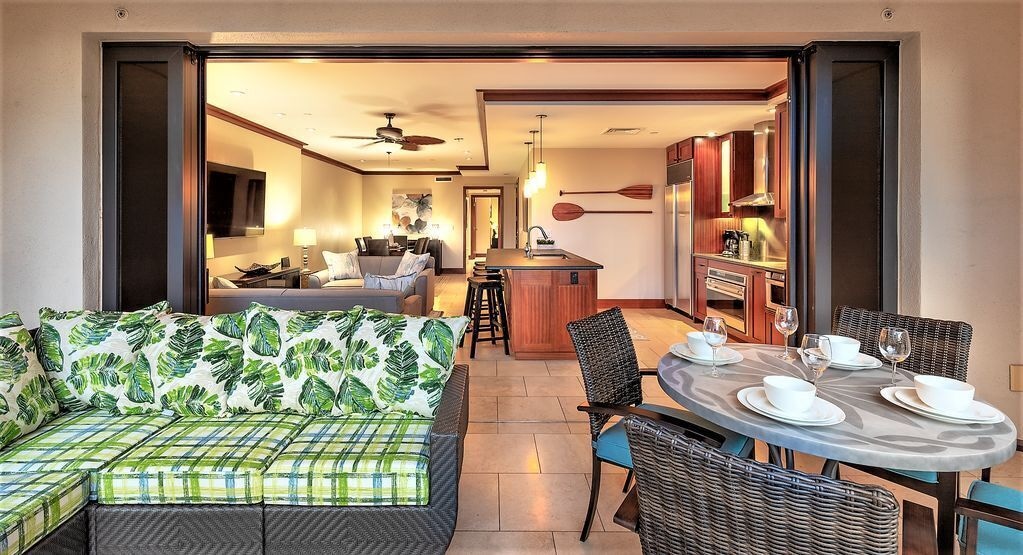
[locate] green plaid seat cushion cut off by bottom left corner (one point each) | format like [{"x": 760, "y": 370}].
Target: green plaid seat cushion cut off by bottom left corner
[{"x": 35, "y": 504}]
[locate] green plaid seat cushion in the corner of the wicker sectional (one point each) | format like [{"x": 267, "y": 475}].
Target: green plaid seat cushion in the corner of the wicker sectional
[{"x": 80, "y": 441}]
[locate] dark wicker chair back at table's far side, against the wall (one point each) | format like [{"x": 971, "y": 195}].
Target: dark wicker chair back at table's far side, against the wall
[{"x": 941, "y": 348}]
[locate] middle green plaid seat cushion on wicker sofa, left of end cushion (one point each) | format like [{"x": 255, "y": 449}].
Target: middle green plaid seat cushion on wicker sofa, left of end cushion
[{"x": 201, "y": 460}]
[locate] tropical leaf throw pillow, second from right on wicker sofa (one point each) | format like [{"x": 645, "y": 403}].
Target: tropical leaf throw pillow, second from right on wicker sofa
[{"x": 292, "y": 360}]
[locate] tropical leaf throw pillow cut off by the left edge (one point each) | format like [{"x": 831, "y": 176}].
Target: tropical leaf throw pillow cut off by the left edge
[{"x": 27, "y": 401}]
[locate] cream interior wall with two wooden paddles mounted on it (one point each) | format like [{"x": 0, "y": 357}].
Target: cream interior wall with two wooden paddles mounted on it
[{"x": 630, "y": 246}]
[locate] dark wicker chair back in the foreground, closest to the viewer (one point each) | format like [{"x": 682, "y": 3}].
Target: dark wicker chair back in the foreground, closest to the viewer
[{"x": 699, "y": 500}]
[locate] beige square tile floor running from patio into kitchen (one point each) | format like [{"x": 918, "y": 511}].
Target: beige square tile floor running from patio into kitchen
[{"x": 525, "y": 482}]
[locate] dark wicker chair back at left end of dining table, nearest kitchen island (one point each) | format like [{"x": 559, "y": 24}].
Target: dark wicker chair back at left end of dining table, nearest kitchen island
[{"x": 608, "y": 360}]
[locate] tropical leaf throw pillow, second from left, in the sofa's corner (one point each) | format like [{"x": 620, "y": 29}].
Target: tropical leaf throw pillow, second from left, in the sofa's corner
[{"x": 90, "y": 358}]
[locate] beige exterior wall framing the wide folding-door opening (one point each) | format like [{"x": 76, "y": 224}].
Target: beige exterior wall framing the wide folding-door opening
[{"x": 960, "y": 123}]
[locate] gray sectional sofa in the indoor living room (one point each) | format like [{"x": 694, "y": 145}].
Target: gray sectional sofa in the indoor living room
[{"x": 326, "y": 294}]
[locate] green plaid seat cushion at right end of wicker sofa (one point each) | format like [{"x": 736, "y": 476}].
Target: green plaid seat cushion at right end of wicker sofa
[{"x": 365, "y": 459}]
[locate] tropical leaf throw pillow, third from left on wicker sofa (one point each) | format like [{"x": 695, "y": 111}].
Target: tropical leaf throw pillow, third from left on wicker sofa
[{"x": 196, "y": 362}]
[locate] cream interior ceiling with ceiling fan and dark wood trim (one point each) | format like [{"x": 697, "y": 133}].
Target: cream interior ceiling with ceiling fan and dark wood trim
[{"x": 321, "y": 100}]
